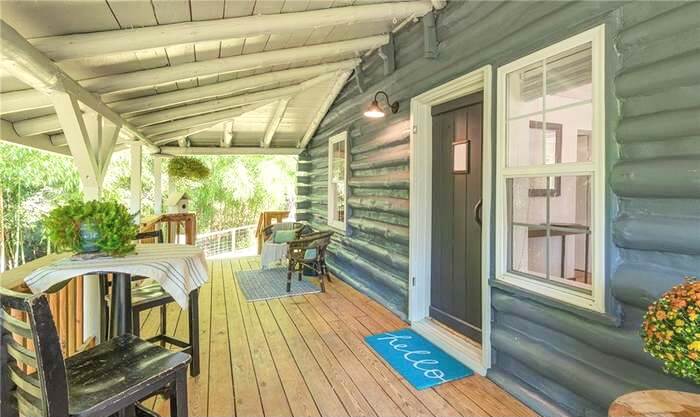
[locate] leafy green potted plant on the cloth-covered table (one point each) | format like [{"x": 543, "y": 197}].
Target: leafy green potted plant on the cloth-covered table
[{"x": 92, "y": 226}]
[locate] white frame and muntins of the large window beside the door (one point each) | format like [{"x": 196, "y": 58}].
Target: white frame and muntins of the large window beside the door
[{"x": 595, "y": 168}]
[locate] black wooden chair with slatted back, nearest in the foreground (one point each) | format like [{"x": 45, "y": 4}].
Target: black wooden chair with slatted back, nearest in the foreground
[{"x": 99, "y": 382}]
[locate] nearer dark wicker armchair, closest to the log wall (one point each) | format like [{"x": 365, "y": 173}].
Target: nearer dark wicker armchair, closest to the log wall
[{"x": 309, "y": 252}]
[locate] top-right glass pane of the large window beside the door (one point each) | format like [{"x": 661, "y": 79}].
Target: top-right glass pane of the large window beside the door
[{"x": 569, "y": 78}]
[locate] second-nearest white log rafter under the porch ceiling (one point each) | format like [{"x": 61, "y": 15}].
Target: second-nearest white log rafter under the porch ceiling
[{"x": 157, "y": 76}]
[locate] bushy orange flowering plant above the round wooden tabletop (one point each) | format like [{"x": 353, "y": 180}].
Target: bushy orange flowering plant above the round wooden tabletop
[{"x": 671, "y": 330}]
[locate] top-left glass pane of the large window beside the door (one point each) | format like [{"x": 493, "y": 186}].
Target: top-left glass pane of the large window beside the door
[{"x": 525, "y": 90}]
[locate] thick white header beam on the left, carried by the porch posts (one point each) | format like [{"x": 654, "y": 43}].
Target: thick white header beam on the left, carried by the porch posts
[{"x": 29, "y": 65}]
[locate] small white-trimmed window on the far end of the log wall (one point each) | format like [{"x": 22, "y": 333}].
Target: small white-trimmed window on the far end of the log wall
[{"x": 337, "y": 181}]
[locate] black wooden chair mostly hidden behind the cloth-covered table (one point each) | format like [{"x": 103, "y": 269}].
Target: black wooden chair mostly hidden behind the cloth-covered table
[{"x": 147, "y": 294}]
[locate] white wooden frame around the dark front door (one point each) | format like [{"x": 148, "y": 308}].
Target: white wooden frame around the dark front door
[{"x": 421, "y": 172}]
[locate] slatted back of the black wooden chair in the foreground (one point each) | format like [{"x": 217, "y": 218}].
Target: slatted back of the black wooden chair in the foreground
[{"x": 41, "y": 390}]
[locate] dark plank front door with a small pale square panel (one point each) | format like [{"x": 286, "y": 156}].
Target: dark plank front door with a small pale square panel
[{"x": 456, "y": 215}]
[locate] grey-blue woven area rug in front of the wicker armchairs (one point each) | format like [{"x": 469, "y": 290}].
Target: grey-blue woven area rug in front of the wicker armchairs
[{"x": 266, "y": 284}]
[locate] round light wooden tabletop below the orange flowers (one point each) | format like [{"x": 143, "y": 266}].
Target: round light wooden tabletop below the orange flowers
[{"x": 657, "y": 403}]
